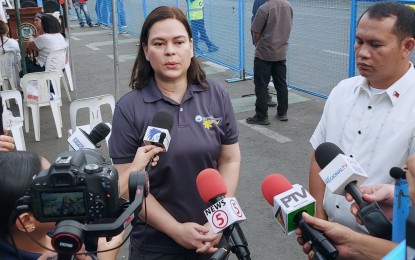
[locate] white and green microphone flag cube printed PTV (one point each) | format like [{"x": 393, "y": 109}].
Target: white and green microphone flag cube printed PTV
[{"x": 290, "y": 203}]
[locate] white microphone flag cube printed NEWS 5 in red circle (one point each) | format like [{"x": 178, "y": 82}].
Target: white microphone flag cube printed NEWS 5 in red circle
[{"x": 224, "y": 213}]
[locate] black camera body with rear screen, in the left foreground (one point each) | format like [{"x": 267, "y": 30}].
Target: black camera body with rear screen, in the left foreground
[{"x": 78, "y": 186}]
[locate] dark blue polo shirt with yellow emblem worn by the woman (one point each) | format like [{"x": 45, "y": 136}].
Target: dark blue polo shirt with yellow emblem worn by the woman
[{"x": 202, "y": 123}]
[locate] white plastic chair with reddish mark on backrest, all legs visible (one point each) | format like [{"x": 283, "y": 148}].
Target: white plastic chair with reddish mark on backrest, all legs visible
[{"x": 36, "y": 89}]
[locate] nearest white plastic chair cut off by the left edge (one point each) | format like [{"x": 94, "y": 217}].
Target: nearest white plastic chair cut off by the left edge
[{"x": 14, "y": 124}]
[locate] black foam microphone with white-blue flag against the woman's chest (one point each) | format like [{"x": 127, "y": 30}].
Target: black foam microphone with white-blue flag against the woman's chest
[{"x": 158, "y": 133}]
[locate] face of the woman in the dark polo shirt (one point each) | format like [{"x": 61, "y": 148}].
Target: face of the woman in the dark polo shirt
[{"x": 169, "y": 50}]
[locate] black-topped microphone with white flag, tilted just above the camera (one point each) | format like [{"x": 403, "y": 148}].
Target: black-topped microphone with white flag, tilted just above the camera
[{"x": 81, "y": 140}]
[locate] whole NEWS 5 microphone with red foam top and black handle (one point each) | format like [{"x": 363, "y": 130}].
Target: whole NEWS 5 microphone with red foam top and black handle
[{"x": 224, "y": 214}]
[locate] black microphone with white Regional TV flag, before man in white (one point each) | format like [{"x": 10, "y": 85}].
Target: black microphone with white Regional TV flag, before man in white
[{"x": 343, "y": 174}]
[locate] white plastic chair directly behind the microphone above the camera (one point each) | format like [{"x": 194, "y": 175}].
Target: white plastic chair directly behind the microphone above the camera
[{"x": 95, "y": 117}]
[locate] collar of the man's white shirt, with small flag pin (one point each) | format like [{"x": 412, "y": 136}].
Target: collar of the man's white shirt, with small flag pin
[{"x": 394, "y": 92}]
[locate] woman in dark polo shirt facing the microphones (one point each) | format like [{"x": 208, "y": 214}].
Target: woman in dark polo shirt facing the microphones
[{"x": 167, "y": 77}]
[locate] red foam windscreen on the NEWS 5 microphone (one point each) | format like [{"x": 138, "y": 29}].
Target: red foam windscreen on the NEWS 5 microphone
[{"x": 210, "y": 184}]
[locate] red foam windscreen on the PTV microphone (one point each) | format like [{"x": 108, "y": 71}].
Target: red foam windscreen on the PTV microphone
[{"x": 273, "y": 185}]
